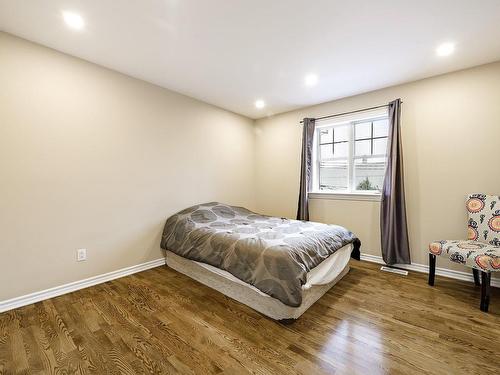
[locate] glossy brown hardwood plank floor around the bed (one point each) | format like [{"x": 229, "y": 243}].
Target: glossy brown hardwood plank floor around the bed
[{"x": 160, "y": 321}]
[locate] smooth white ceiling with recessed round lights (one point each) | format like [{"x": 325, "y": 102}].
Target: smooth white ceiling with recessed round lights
[{"x": 232, "y": 52}]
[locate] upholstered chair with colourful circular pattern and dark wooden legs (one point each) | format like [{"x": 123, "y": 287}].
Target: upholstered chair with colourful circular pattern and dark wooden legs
[{"x": 481, "y": 251}]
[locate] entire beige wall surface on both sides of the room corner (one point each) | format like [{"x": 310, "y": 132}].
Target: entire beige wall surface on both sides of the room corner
[{"x": 90, "y": 158}]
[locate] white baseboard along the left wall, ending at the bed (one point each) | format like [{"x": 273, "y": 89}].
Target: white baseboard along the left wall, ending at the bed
[{"x": 27, "y": 299}]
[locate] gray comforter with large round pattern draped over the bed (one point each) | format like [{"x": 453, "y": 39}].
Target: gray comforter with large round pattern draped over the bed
[{"x": 270, "y": 253}]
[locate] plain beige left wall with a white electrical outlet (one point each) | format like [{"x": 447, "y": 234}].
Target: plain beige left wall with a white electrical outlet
[{"x": 90, "y": 158}]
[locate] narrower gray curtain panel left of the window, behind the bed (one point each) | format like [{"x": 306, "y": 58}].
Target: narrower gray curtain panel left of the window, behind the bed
[{"x": 305, "y": 168}]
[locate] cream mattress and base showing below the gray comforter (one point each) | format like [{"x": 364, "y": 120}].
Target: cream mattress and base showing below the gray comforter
[{"x": 319, "y": 280}]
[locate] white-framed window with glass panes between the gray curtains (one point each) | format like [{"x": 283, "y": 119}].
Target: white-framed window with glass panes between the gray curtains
[{"x": 351, "y": 155}]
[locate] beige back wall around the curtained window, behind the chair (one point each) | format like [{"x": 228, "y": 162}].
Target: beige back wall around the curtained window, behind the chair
[{"x": 451, "y": 133}]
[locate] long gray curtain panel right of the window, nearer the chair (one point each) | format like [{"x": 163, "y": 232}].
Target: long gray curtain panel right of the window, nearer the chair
[{"x": 393, "y": 227}]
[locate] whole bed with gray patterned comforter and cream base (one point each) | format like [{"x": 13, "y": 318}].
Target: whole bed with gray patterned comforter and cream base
[{"x": 277, "y": 266}]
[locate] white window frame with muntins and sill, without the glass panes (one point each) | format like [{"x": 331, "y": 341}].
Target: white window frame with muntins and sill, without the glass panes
[{"x": 351, "y": 192}]
